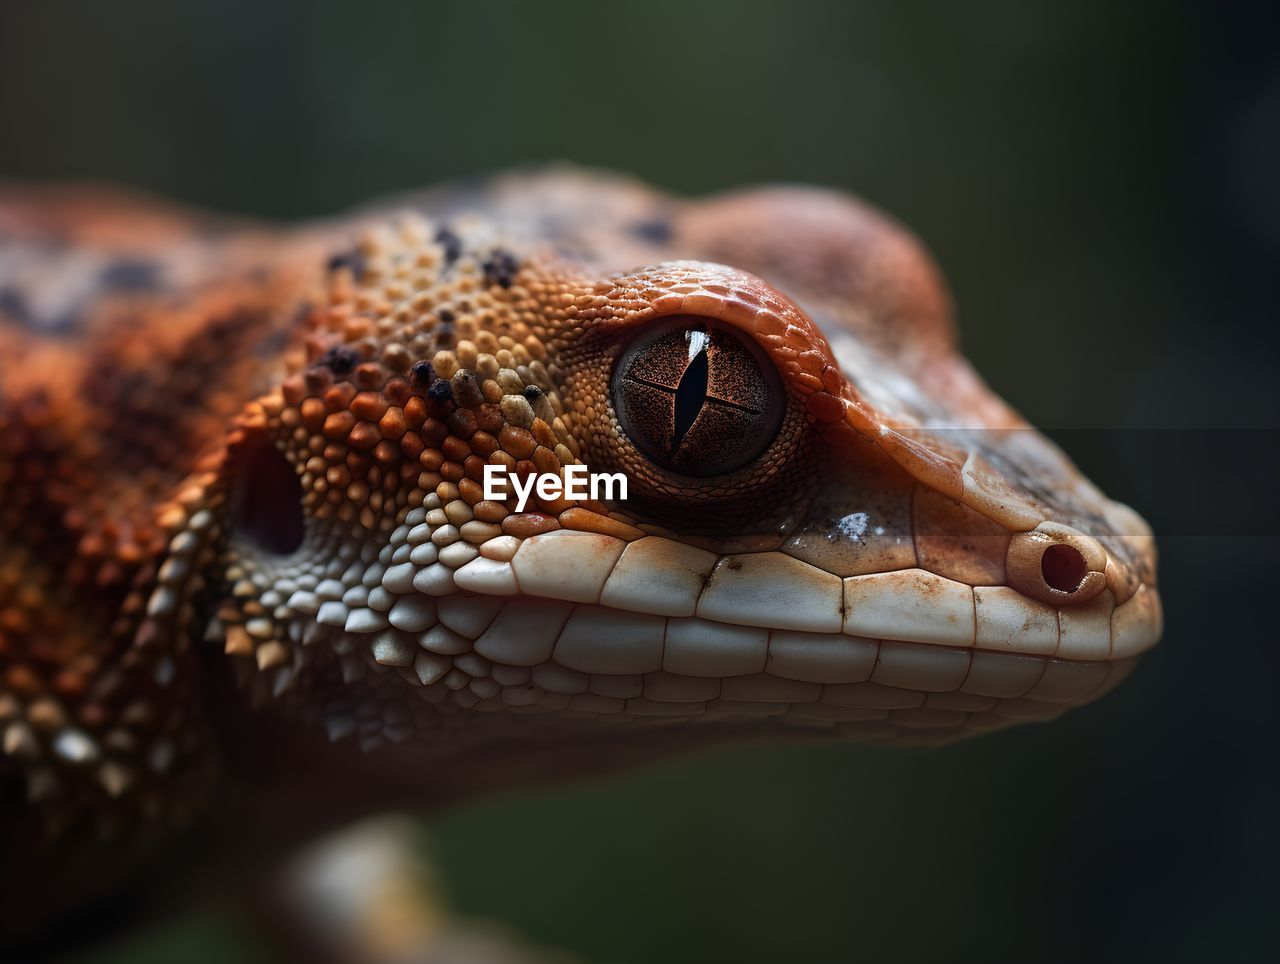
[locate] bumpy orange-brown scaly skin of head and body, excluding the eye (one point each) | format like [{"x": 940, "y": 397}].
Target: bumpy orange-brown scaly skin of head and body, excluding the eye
[{"x": 241, "y": 514}]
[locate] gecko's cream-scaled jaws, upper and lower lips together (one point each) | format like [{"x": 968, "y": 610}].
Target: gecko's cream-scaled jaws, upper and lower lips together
[{"x": 606, "y": 628}]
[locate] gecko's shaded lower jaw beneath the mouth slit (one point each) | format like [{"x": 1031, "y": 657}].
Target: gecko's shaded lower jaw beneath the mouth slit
[{"x": 858, "y": 688}]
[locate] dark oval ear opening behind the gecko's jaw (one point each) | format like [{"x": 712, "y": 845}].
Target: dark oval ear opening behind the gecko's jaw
[{"x": 267, "y": 501}]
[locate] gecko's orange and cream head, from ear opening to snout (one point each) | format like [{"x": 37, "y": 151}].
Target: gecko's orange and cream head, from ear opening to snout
[{"x": 806, "y": 534}]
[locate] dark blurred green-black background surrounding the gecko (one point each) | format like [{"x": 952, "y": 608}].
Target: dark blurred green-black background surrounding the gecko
[{"x": 1100, "y": 184}]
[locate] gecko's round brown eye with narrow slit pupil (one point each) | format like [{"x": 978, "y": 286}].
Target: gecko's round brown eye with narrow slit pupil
[{"x": 697, "y": 399}]
